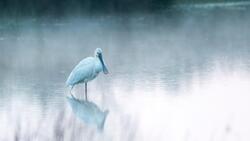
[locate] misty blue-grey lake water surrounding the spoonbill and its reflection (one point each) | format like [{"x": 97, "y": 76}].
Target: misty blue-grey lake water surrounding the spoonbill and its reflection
[{"x": 180, "y": 75}]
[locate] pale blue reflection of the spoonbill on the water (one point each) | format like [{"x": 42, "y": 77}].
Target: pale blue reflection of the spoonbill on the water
[{"x": 88, "y": 111}]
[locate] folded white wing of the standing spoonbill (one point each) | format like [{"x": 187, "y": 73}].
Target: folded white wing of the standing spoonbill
[{"x": 81, "y": 71}]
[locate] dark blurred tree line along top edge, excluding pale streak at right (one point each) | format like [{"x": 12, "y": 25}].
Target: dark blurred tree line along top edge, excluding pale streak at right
[{"x": 61, "y": 7}]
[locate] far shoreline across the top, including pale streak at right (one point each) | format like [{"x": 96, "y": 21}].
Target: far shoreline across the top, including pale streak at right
[{"x": 86, "y": 7}]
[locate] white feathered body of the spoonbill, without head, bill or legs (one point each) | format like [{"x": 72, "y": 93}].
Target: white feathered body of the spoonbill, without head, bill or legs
[{"x": 84, "y": 71}]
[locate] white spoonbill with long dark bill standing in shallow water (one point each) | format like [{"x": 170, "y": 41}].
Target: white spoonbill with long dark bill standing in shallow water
[{"x": 87, "y": 70}]
